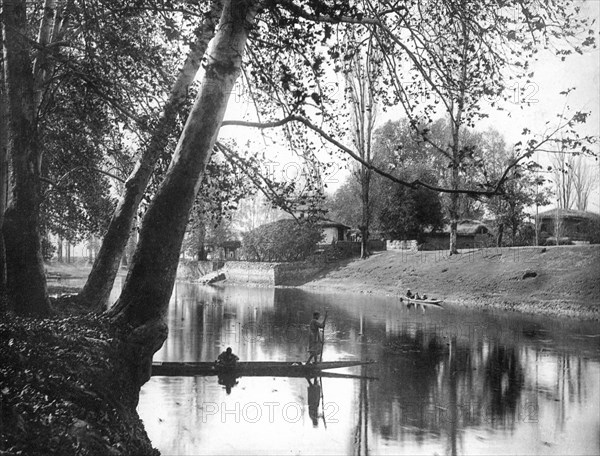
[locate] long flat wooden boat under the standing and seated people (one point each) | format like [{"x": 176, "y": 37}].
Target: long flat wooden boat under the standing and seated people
[{"x": 252, "y": 368}]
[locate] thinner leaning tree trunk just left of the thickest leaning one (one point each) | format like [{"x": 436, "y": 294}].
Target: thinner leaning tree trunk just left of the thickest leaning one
[{"x": 98, "y": 286}]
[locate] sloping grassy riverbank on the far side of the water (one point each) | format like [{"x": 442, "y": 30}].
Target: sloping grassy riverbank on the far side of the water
[{"x": 558, "y": 281}]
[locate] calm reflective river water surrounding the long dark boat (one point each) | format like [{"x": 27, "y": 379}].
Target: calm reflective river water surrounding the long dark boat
[{"x": 450, "y": 381}]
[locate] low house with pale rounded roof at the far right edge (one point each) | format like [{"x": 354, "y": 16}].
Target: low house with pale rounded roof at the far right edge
[{"x": 577, "y": 226}]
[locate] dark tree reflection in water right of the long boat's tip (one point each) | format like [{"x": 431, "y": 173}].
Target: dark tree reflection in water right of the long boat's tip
[{"x": 434, "y": 386}]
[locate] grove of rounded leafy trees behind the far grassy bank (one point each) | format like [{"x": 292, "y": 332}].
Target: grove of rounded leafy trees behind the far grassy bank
[{"x": 402, "y": 212}]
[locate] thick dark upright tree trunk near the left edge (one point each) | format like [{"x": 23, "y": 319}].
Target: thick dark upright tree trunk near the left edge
[{"x": 25, "y": 278}]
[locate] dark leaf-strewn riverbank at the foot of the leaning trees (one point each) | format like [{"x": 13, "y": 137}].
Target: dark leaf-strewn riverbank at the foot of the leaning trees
[{"x": 68, "y": 389}]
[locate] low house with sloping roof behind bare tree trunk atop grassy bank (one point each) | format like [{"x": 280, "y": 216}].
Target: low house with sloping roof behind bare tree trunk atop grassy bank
[{"x": 469, "y": 234}]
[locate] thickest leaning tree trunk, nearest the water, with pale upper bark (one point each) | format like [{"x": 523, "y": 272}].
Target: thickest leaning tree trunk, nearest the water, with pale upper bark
[{"x": 149, "y": 283}]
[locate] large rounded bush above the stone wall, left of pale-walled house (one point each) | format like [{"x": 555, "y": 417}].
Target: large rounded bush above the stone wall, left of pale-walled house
[{"x": 283, "y": 240}]
